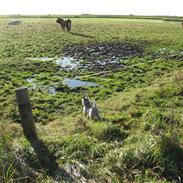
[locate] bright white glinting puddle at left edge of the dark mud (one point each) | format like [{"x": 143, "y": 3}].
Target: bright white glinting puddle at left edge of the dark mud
[{"x": 67, "y": 62}]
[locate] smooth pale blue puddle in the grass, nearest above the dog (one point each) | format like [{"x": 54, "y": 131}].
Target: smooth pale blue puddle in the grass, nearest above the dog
[{"x": 73, "y": 83}]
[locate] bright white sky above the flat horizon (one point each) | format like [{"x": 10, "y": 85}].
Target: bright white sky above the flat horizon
[{"x": 108, "y": 7}]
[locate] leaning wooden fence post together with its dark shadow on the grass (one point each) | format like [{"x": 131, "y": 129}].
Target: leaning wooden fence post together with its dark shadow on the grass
[{"x": 46, "y": 158}]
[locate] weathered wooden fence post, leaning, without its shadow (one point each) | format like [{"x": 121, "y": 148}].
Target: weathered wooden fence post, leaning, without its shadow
[{"x": 25, "y": 111}]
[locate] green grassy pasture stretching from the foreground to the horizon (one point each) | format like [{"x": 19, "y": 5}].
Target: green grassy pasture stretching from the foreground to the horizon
[{"x": 137, "y": 66}]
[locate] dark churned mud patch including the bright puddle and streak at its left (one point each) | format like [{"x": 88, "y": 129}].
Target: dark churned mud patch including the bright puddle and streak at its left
[{"x": 97, "y": 57}]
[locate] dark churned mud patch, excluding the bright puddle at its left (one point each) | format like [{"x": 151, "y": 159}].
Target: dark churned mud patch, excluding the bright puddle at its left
[{"x": 103, "y": 56}]
